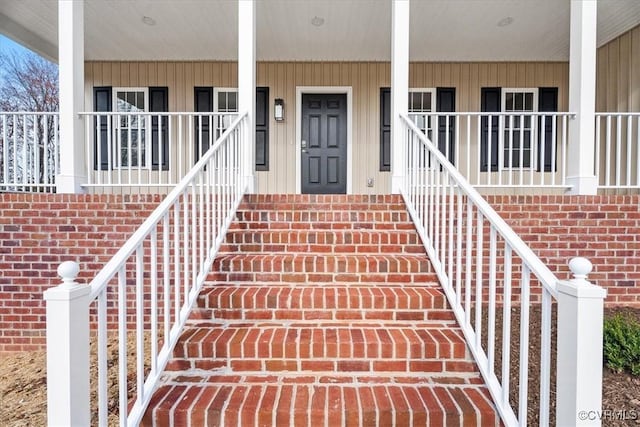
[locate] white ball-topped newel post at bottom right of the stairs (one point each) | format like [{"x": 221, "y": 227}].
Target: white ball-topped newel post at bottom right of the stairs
[{"x": 579, "y": 375}]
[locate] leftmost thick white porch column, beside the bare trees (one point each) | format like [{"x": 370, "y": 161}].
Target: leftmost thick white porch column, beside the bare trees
[{"x": 71, "y": 69}]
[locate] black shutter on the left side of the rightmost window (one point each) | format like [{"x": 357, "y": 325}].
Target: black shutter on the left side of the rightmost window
[{"x": 490, "y": 100}]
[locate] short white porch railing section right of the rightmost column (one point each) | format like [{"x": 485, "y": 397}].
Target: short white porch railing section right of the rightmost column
[{"x": 617, "y": 156}]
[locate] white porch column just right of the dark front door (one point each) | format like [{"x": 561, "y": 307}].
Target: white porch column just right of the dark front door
[{"x": 399, "y": 88}]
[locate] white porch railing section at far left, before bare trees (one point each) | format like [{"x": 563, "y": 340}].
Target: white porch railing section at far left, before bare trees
[{"x": 29, "y": 151}]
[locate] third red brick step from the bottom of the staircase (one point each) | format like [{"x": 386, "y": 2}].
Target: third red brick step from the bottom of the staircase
[{"x": 286, "y": 301}]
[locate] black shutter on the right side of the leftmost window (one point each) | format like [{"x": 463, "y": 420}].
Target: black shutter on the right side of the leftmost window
[{"x": 159, "y": 102}]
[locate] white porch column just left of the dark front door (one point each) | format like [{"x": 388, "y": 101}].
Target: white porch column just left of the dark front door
[{"x": 247, "y": 83}]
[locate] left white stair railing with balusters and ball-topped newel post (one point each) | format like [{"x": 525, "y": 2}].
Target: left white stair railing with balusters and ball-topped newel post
[{"x": 148, "y": 287}]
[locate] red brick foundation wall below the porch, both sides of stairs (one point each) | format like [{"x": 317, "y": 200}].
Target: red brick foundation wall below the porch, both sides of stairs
[{"x": 39, "y": 231}]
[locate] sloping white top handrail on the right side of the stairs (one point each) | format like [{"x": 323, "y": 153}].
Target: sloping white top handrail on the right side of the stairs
[{"x": 521, "y": 248}]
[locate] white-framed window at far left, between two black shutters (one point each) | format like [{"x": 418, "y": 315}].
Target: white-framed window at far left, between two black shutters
[{"x": 131, "y": 138}]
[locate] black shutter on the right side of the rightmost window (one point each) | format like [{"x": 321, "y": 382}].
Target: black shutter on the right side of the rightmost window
[{"x": 547, "y": 102}]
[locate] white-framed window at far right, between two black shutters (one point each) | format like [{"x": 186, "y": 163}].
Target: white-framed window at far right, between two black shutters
[{"x": 517, "y": 143}]
